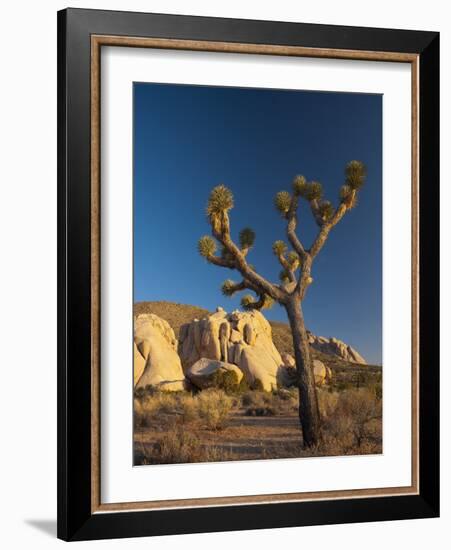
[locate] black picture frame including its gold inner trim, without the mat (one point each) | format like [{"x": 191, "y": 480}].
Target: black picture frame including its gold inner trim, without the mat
[{"x": 81, "y": 36}]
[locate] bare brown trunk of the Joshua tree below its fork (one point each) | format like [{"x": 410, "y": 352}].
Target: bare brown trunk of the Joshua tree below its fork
[{"x": 308, "y": 403}]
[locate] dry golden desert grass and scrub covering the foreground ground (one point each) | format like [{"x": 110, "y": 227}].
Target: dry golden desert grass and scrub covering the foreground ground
[{"x": 214, "y": 426}]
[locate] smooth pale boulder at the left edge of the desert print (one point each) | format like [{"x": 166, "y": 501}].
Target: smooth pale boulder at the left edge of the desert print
[{"x": 156, "y": 361}]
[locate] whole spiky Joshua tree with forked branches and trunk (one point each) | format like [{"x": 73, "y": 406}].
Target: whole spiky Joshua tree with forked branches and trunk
[{"x": 296, "y": 265}]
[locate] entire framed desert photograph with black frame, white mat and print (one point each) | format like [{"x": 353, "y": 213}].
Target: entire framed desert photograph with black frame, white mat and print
[{"x": 248, "y": 274}]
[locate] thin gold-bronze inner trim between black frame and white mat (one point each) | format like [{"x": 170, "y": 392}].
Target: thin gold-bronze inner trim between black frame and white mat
[{"x": 97, "y": 41}]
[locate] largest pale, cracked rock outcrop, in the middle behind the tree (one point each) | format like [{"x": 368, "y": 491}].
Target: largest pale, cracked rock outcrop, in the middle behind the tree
[{"x": 243, "y": 339}]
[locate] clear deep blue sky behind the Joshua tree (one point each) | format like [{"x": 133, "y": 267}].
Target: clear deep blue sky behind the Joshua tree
[{"x": 187, "y": 139}]
